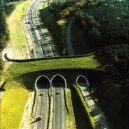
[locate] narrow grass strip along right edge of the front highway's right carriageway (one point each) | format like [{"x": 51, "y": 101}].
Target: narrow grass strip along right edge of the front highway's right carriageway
[{"x": 70, "y": 118}]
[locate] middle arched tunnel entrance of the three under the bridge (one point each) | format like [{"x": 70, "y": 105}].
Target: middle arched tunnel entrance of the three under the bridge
[{"x": 58, "y": 81}]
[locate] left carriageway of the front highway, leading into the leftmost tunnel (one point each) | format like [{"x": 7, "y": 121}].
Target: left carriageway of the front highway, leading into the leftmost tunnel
[{"x": 42, "y": 106}]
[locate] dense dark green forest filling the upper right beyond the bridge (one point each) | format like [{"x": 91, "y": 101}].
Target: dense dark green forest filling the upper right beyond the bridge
[{"x": 105, "y": 23}]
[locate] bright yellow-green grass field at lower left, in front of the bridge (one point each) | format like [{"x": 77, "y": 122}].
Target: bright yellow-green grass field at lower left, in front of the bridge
[{"x": 12, "y": 105}]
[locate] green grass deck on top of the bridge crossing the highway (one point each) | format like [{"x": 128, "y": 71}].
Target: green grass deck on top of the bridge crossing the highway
[{"x": 17, "y": 69}]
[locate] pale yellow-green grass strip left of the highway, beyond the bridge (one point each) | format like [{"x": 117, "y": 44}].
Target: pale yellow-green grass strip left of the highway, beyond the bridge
[{"x": 17, "y": 36}]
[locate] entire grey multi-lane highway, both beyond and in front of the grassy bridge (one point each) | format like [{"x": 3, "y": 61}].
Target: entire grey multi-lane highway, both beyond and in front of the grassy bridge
[{"x": 52, "y": 114}]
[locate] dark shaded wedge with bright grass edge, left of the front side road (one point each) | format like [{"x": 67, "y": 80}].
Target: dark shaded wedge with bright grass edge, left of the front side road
[{"x": 82, "y": 117}]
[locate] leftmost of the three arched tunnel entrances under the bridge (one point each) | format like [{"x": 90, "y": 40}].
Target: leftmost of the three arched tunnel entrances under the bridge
[{"x": 42, "y": 82}]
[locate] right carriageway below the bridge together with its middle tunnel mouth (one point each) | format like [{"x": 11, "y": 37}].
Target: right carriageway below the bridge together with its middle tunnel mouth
[{"x": 58, "y": 85}]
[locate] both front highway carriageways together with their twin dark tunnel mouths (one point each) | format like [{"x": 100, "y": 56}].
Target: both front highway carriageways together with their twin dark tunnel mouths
[{"x": 43, "y": 105}]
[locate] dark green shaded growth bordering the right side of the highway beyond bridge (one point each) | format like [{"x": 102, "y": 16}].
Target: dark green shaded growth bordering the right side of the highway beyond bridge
[{"x": 50, "y": 21}]
